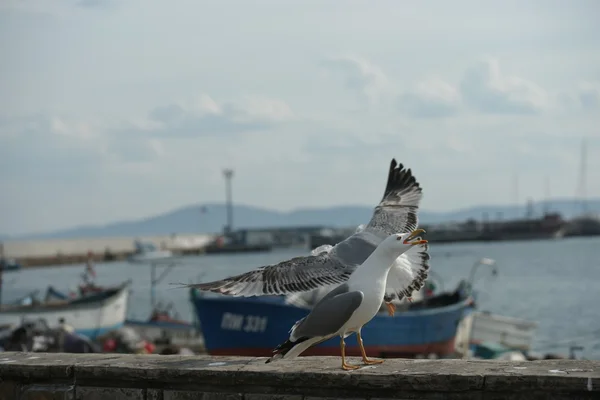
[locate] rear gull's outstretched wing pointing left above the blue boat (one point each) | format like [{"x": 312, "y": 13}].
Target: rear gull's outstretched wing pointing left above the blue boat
[{"x": 299, "y": 274}]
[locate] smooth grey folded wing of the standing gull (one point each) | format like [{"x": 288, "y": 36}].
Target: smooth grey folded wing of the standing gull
[{"x": 328, "y": 315}]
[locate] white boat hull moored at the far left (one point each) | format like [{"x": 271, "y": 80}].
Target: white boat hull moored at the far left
[{"x": 91, "y": 315}]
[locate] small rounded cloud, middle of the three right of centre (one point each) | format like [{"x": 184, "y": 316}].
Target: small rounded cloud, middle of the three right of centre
[{"x": 432, "y": 98}]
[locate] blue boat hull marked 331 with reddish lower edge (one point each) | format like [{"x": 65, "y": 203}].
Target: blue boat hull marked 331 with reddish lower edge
[{"x": 255, "y": 326}]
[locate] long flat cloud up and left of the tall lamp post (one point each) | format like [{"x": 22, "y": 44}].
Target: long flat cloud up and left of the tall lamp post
[{"x": 206, "y": 117}]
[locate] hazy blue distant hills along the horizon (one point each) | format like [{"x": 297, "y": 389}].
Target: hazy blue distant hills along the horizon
[{"x": 210, "y": 218}]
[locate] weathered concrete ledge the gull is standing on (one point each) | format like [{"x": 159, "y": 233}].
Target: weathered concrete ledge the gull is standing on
[{"x": 154, "y": 377}]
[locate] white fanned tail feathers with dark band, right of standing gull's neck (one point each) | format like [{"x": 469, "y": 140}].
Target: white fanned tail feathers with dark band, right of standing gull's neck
[{"x": 408, "y": 274}]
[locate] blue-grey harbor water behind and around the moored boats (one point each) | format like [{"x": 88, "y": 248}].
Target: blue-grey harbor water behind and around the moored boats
[{"x": 552, "y": 282}]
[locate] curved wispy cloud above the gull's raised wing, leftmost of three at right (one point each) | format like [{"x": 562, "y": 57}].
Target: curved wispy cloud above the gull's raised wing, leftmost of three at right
[{"x": 361, "y": 76}]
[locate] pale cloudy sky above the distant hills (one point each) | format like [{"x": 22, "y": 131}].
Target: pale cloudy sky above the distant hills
[{"x": 123, "y": 109}]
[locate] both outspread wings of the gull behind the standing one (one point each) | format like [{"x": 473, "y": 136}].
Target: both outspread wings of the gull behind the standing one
[{"x": 395, "y": 213}]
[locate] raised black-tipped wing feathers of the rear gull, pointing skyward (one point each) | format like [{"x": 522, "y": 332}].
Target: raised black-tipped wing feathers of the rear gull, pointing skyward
[{"x": 397, "y": 211}]
